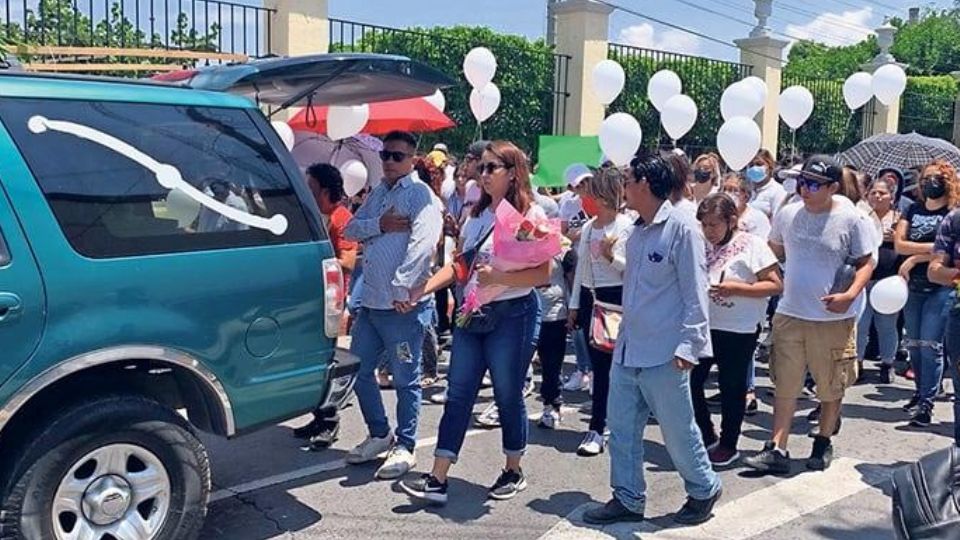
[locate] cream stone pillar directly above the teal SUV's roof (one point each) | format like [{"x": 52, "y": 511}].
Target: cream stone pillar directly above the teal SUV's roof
[{"x": 298, "y": 27}]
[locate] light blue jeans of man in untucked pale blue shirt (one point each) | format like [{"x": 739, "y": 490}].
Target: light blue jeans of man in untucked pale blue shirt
[{"x": 664, "y": 391}]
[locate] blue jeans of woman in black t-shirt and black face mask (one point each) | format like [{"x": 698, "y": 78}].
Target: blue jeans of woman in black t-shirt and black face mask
[{"x": 925, "y": 317}]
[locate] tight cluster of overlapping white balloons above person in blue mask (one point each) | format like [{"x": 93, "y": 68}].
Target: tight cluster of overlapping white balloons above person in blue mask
[{"x": 739, "y": 138}]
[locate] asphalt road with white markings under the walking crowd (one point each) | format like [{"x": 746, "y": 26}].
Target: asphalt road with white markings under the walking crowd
[{"x": 266, "y": 487}]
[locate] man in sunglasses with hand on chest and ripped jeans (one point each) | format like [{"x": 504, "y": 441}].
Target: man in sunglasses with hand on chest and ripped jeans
[{"x": 399, "y": 224}]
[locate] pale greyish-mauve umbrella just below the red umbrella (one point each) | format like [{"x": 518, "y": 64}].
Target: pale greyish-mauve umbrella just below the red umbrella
[{"x": 310, "y": 148}]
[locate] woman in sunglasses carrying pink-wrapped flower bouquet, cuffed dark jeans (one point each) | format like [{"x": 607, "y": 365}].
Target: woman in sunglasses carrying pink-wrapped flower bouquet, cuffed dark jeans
[{"x": 498, "y": 335}]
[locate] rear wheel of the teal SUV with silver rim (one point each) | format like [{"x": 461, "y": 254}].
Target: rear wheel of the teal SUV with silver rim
[{"x": 118, "y": 468}]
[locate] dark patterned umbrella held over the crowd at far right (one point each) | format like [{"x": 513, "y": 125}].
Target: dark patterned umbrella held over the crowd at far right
[{"x": 899, "y": 151}]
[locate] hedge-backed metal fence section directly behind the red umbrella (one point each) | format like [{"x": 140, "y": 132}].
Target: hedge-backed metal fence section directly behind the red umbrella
[{"x": 531, "y": 77}]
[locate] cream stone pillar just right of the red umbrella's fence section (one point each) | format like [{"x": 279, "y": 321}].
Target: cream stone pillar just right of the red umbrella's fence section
[{"x": 583, "y": 27}]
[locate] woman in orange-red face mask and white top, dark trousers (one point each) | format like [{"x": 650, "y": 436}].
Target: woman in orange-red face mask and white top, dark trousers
[{"x": 599, "y": 277}]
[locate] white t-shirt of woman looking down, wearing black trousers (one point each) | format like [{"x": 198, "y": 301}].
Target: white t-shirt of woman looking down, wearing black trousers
[{"x": 741, "y": 259}]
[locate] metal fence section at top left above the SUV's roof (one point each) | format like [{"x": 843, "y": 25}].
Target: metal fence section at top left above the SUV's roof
[{"x": 205, "y": 25}]
